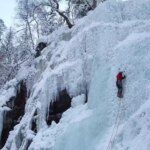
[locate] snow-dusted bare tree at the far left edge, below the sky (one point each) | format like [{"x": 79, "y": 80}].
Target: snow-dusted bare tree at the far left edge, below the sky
[{"x": 12, "y": 54}]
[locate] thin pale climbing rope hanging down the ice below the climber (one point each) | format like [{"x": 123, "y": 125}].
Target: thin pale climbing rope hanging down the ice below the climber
[{"x": 115, "y": 129}]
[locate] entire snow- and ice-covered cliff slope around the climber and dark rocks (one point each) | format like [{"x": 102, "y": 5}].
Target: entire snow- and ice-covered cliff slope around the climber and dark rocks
[{"x": 115, "y": 35}]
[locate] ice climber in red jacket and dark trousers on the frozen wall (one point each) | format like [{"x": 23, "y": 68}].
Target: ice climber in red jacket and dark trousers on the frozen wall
[{"x": 120, "y": 77}]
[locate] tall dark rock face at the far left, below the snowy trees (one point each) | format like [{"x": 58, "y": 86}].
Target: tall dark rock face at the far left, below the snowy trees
[{"x": 14, "y": 115}]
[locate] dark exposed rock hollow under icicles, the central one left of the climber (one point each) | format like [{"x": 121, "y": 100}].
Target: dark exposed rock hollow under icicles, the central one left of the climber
[{"x": 61, "y": 104}]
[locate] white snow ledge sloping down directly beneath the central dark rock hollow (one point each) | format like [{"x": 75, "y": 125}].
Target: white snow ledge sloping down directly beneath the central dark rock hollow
[{"x": 56, "y": 130}]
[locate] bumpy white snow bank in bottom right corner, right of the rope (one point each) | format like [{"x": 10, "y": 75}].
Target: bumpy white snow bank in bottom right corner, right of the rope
[{"x": 134, "y": 134}]
